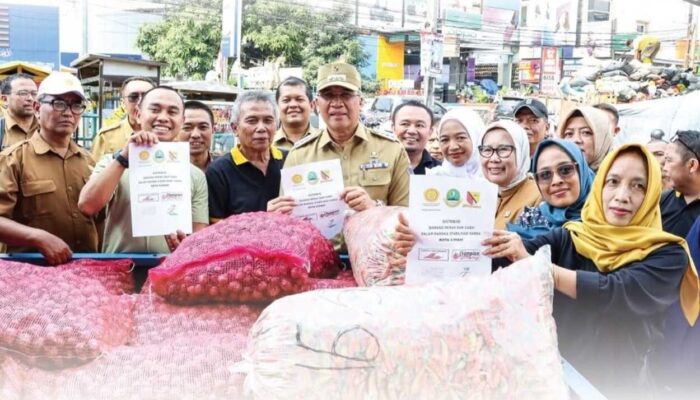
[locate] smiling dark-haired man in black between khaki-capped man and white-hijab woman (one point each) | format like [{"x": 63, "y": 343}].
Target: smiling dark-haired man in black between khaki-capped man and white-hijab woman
[{"x": 412, "y": 123}]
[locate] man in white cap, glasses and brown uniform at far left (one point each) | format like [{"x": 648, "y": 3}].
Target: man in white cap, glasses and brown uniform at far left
[{"x": 41, "y": 178}]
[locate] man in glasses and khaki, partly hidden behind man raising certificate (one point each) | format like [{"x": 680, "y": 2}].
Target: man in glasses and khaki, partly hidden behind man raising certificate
[{"x": 113, "y": 137}]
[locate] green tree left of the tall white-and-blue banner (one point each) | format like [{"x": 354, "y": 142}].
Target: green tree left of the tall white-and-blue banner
[{"x": 187, "y": 39}]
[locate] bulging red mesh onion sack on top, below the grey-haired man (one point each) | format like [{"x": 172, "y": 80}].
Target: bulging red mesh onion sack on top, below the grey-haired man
[{"x": 253, "y": 257}]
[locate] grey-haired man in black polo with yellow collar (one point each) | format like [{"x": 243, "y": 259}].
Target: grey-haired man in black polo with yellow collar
[{"x": 249, "y": 176}]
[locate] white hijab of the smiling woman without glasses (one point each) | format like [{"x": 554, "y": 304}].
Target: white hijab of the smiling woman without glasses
[{"x": 474, "y": 126}]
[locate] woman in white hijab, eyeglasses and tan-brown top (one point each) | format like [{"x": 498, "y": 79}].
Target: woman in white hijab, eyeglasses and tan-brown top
[{"x": 505, "y": 161}]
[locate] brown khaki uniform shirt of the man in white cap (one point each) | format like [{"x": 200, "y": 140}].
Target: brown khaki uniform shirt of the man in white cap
[{"x": 40, "y": 189}]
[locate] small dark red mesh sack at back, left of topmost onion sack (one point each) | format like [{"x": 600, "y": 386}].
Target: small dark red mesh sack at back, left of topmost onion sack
[{"x": 115, "y": 275}]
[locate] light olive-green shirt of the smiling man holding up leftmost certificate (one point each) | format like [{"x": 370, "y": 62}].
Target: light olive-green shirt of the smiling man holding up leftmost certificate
[{"x": 118, "y": 237}]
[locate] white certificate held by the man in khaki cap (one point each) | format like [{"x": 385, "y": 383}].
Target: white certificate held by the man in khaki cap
[{"x": 316, "y": 189}]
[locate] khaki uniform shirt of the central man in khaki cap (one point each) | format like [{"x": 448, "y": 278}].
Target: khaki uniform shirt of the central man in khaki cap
[{"x": 373, "y": 160}]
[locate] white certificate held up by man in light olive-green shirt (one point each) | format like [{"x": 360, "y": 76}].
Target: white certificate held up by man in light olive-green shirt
[{"x": 159, "y": 179}]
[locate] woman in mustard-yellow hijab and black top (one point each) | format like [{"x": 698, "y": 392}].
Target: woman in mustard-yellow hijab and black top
[{"x": 615, "y": 273}]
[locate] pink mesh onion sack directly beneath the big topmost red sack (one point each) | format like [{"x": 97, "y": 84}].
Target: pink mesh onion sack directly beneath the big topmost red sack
[{"x": 156, "y": 321}]
